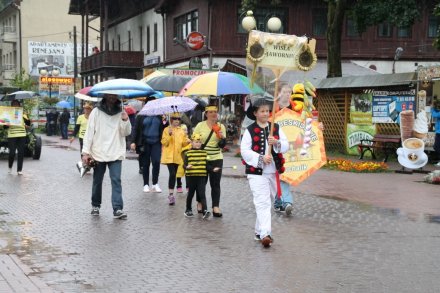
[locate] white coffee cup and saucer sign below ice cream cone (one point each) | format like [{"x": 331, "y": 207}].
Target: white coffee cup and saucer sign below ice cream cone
[{"x": 411, "y": 155}]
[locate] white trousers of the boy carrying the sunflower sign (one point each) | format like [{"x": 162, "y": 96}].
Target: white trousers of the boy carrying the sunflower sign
[{"x": 264, "y": 190}]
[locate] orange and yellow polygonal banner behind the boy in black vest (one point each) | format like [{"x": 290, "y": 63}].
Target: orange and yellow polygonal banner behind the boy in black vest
[{"x": 306, "y": 152}]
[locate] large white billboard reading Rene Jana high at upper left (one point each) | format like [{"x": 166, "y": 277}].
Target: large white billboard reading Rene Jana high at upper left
[{"x": 52, "y": 55}]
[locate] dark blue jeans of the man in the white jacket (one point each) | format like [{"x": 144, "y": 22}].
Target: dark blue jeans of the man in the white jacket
[{"x": 115, "y": 177}]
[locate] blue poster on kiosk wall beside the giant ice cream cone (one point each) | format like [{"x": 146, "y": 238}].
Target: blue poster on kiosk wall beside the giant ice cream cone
[{"x": 388, "y": 104}]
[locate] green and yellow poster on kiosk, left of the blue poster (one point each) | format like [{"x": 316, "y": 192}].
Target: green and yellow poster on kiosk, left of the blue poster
[{"x": 360, "y": 109}]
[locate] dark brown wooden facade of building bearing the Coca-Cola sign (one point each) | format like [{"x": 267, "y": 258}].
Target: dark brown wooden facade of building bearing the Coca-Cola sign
[{"x": 219, "y": 22}]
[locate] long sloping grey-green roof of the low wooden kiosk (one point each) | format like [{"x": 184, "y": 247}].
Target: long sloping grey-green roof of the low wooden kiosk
[{"x": 368, "y": 81}]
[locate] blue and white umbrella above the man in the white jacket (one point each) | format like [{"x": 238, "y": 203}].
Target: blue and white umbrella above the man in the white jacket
[{"x": 127, "y": 88}]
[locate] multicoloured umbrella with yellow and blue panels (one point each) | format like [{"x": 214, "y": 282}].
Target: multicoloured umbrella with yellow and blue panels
[{"x": 216, "y": 84}]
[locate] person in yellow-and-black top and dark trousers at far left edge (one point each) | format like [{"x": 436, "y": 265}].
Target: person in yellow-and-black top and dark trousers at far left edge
[{"x": 17, "y": 141}]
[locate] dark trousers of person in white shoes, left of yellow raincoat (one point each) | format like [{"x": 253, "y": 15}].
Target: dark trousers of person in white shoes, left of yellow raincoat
[{"x": 151, "y": 154}]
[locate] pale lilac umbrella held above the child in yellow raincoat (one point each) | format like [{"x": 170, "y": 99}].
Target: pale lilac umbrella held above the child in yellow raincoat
[{"x": 168, "y": 105}]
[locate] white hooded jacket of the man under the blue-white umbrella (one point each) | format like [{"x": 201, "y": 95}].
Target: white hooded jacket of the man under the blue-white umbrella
[{"x": 104, "y": 139}]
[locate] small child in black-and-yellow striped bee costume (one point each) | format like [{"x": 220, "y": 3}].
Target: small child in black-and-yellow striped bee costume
[{"x": 196, "y": 172}]
